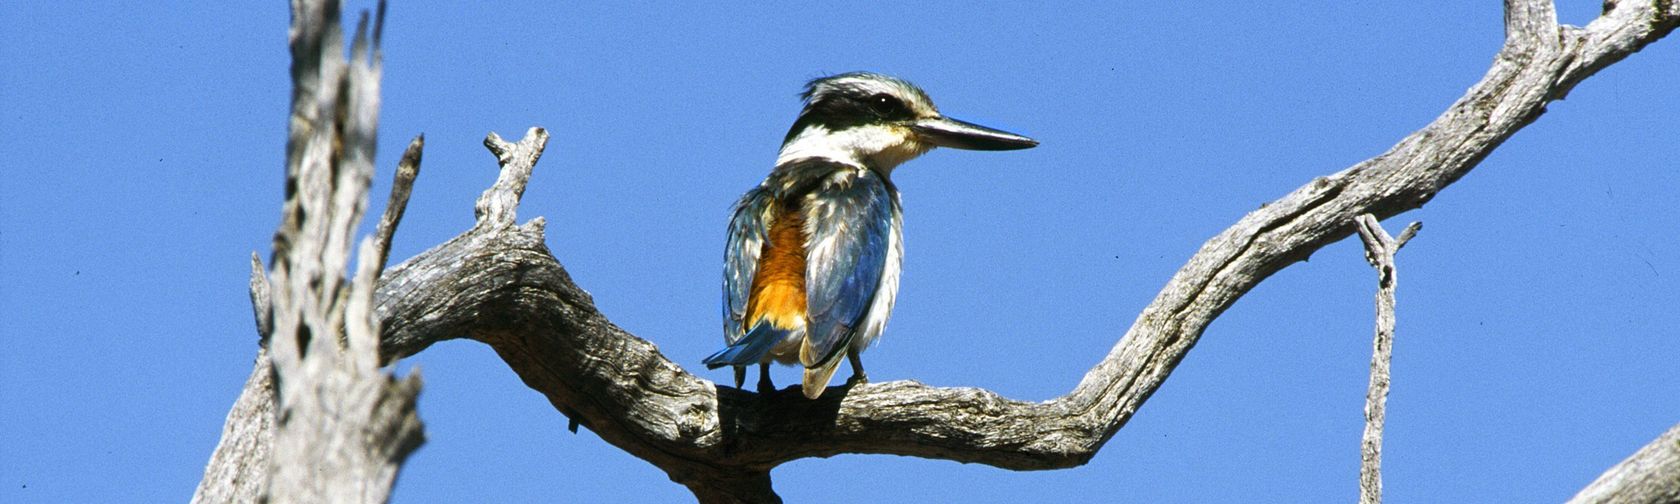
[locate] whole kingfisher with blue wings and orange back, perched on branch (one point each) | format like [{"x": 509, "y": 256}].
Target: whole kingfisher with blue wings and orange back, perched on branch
[{"x": 814, "y": 255}]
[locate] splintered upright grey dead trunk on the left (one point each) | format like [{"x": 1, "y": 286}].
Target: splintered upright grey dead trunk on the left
[{"x": 318, "y": 421}]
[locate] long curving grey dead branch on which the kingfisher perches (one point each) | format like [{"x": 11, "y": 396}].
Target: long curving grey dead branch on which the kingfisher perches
[{"x": 500, "y": 285}]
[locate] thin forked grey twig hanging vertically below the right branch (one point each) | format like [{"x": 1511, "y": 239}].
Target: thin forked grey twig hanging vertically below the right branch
[{"x": 1380, "y": 251}]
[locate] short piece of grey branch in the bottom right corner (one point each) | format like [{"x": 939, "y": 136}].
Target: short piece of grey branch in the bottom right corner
[{"x": 1649, "y": 476}]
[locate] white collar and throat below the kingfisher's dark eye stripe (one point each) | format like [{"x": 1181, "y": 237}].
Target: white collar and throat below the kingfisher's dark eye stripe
[{"x": 881, "y": 147}]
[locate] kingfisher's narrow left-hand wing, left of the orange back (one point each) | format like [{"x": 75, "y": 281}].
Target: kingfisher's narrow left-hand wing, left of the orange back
[{"x": 747, "y": 241}]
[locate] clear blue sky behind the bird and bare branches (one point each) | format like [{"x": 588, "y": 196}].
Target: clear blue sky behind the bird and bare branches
[{"x": 1538, "y": 317}]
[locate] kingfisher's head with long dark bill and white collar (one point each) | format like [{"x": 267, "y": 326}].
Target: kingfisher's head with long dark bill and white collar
[{"x": 881, "y": 122}]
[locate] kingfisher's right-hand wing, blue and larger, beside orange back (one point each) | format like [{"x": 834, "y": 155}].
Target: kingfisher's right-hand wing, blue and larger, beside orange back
[{"x": 848, "y": 256}]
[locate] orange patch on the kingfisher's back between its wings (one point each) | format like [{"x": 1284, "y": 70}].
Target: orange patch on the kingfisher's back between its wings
[{"x": 779, "y": 288}]
